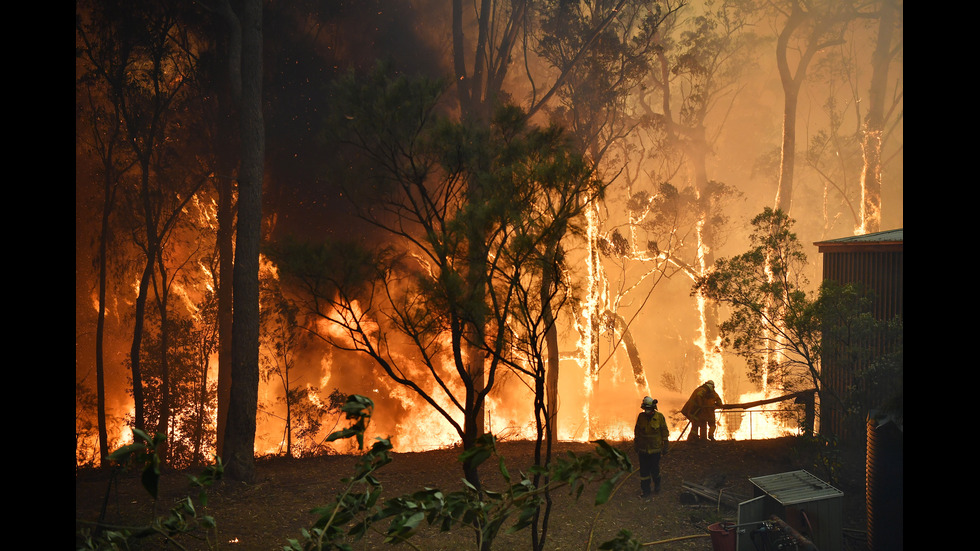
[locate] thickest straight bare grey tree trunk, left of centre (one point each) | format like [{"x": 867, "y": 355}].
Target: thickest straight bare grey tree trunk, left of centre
[{"x": 240, "y": 431}]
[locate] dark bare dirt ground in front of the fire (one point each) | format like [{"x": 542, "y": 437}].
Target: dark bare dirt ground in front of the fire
[{"x": 262, "y": 516}]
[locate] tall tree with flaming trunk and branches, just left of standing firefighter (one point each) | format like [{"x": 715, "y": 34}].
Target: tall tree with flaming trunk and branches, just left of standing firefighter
[{"x": 602, "y": 50}]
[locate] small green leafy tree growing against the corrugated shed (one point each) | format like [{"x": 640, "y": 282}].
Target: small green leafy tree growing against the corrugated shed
[{"x": 783, "y": 331}]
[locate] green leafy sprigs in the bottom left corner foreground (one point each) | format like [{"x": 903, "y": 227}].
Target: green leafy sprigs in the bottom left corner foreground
[{"x": 183, "y": 518}]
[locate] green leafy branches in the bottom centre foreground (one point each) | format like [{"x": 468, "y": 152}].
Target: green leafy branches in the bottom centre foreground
[{"x": 483, "y": 511}]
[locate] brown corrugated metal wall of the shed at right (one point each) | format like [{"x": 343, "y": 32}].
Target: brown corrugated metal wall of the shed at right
[{"x": 881, "y": 270}]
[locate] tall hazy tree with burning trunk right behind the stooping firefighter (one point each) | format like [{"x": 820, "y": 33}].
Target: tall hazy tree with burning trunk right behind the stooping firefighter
[{"x": 701, "y": 69}]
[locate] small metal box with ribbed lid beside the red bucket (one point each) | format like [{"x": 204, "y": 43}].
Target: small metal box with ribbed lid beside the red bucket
[{"x": 807, "y": 504}]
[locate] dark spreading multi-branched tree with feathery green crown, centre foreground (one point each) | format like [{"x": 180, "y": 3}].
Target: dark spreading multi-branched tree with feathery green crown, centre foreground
[{"x": 470, "y": 208}]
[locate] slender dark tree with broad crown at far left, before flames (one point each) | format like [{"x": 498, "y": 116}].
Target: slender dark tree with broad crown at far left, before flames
[{"x": 147, "y": 61}]
